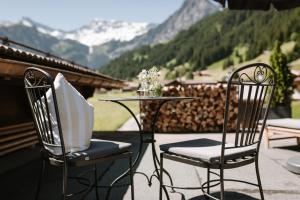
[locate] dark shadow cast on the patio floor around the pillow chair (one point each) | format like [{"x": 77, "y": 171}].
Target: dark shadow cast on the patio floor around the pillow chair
[{"x": 20, "y": 183}]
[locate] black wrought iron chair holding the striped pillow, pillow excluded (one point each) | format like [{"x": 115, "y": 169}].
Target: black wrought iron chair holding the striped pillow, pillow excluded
[{"x": 37, "y": 83}]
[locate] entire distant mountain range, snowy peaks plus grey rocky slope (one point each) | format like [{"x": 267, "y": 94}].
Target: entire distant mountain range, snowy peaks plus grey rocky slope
[{"x": 82, "y": 45}]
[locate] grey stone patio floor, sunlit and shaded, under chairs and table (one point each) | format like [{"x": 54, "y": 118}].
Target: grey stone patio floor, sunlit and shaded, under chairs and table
[{"x": 278, "y": 183}]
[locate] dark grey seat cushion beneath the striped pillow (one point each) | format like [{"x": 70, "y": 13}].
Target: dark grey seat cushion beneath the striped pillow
[{"x": 99, "y": 149}]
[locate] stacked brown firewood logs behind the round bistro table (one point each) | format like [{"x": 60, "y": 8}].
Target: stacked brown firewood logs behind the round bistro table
[{"x": 204, "y": 114}]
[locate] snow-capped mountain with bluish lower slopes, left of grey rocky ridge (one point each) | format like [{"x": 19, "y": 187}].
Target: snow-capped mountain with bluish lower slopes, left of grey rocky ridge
[{"x": 77, "y": 45}]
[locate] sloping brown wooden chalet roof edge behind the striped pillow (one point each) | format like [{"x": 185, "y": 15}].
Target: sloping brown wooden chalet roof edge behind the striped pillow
[{"x": 14, "y": 61}]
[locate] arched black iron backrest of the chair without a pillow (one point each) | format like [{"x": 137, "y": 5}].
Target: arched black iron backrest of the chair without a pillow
[{"x": 253, "y": 87}]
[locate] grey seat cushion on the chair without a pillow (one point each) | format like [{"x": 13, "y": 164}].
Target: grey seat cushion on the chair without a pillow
[{"x": 207, "y": 150}]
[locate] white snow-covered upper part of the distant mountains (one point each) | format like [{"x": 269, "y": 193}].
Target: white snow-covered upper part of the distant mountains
[{"x": 95, "y": 33}]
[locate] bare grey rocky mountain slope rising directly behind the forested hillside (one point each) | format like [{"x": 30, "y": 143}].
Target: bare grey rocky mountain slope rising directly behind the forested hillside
[{"x": 189, "y": 13}]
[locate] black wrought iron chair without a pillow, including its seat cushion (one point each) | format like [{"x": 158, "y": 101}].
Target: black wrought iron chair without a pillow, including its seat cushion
[{"x": 253, "y": 87}]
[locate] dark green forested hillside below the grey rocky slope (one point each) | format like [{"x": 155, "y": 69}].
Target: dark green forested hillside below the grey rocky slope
[{"x": 212, "y": 39}]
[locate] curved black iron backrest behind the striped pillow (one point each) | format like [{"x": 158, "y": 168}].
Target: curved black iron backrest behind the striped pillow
[{"x": 41, "y": 95}]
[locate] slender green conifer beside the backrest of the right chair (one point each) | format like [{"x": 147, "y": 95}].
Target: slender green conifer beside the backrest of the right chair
[{"x": 284, "y": 84}]
